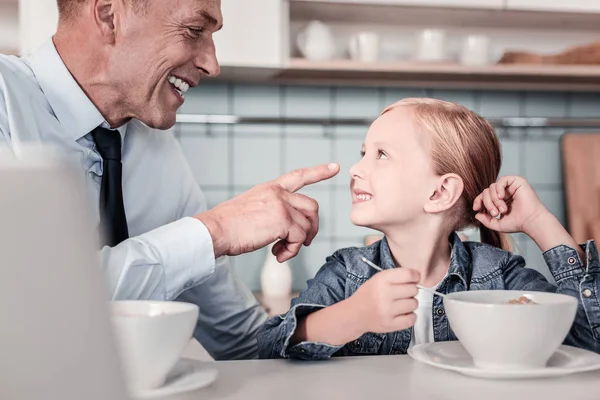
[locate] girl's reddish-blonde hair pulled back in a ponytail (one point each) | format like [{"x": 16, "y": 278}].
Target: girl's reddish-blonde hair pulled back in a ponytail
[{"x": 464, "y": 144}]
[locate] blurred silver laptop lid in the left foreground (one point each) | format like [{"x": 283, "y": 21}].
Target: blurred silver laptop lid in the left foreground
[{"x": 55, "y": 336}]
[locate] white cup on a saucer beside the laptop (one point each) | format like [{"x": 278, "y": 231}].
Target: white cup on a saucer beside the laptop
[{"x": 151, "y": 336}]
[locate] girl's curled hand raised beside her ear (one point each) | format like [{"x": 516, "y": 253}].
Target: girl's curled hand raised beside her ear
[{"x": 509, "y": 205}]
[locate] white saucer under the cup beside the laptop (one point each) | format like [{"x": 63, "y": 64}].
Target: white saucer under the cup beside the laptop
[{"x": 186, "y": 375}]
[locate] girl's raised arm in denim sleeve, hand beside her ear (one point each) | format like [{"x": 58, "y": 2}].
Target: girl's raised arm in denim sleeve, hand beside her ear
[{"x": 576, "y": 269}]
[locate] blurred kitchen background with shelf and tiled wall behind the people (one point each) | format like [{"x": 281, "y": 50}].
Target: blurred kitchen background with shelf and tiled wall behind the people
[{"x": 301, "y": 80}]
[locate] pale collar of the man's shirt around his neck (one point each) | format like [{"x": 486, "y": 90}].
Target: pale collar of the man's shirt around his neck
[{"x": 71, "y": 106}]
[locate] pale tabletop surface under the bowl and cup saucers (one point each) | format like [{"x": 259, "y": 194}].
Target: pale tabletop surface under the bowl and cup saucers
[{"x": 379, "y": 378}]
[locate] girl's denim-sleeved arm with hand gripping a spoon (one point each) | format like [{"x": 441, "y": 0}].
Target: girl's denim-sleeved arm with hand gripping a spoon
[{"x": 322, "y": 320}]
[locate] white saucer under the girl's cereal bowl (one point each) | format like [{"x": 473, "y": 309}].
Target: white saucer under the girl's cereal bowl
[{"x": 453, "y": 356}]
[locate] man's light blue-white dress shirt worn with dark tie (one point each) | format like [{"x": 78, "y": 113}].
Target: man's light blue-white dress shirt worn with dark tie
[{"x": 169, "y": 254}]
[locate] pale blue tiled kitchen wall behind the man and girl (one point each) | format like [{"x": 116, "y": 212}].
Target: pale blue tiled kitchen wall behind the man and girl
[{"x": 227, "y": 160}]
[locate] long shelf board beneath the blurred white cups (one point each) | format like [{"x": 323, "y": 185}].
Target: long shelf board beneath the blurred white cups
[{"x": 429, "y": 75}]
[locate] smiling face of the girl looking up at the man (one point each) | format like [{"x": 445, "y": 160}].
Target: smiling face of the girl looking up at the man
[{"x": 394, "y": 179}]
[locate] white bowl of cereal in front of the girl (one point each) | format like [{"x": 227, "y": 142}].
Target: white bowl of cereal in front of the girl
[{"x": 510, "y": 336}]
